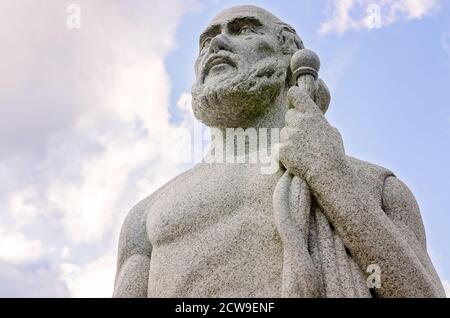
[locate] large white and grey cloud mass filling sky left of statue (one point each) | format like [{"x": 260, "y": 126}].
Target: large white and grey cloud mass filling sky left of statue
[{"x": 86, "y": 133}]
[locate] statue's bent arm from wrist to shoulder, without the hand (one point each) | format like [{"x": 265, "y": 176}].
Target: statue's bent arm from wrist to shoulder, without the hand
[{"x": 391, "y": 236}]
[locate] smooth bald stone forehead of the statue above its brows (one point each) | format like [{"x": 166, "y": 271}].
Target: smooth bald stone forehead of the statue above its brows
[{"x": 244, "y": 11}]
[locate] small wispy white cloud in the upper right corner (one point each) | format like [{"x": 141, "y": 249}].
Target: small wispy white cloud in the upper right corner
[{"x": 345, "y": 15}]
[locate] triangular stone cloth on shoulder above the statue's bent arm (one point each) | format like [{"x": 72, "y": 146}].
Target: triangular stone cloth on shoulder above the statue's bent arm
[{"x": 371, "y": 175}]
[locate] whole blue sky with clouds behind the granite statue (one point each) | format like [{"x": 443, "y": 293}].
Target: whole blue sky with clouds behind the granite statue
[{"x": 95, "y": 118}]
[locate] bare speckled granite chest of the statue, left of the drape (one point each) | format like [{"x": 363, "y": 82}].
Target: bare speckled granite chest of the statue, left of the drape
[{"x": 212, "y": 196}]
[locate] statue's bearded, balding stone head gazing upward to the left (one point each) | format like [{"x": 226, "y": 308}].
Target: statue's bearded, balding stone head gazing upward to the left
[{"x": 242, "y": 67}]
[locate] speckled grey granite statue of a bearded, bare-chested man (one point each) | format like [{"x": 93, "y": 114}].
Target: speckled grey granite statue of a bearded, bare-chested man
[{"x": 323, "y": 225}]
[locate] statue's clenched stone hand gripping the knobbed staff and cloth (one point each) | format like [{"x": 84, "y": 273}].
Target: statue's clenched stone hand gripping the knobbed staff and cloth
[{"x": 308, "y": 143}]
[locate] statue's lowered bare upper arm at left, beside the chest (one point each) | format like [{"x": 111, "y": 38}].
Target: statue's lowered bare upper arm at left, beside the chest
[{"x": 133, "y": 263}]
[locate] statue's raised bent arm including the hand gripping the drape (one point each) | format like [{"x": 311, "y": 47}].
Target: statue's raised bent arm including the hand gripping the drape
[{"x": 313, "y": 150}]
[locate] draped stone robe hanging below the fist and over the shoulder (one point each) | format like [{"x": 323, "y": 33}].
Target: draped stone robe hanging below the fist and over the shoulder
[{"x": 316, "y": 262}]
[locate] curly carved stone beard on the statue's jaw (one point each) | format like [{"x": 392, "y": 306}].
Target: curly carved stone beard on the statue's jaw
[{"x": 234, "y": 101}]
